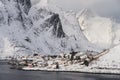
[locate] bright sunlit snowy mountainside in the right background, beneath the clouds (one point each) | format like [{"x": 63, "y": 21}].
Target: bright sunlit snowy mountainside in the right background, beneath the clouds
[{"x": 98, "y": 30}]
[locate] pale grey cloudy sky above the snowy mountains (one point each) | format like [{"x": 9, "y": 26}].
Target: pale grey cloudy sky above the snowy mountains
[{"x": 103, "y": 7}]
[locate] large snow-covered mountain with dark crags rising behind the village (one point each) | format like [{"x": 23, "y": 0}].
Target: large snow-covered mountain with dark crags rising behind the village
[{"x": 26, "y": 29}]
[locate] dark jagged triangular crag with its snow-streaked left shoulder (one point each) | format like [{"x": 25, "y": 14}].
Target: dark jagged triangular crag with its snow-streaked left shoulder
[{"x": 49, "y": 21}]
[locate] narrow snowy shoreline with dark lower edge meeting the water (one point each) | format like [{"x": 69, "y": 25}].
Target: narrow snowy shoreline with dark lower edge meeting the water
[{"x": 92, "y": 71}]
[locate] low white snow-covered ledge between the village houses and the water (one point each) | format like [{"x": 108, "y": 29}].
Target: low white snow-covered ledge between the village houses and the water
[{"x": 85, "y": 70}]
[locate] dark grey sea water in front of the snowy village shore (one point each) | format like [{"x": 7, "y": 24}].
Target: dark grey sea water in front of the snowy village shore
[{"x": 8, "y": 74}]
